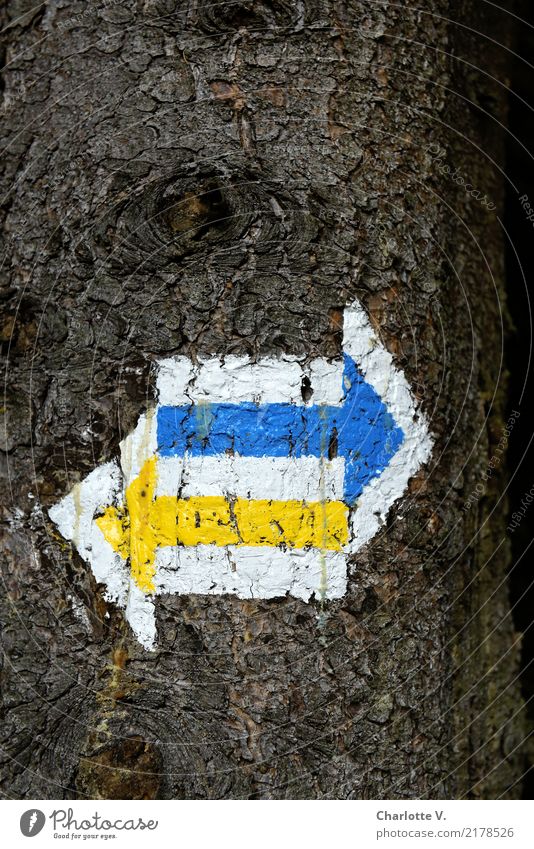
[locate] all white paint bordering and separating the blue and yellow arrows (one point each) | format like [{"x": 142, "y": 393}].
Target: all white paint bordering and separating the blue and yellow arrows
[{"x": 248, "y": 572}]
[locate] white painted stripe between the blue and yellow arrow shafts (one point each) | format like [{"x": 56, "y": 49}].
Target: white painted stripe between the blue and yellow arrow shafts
[{"x": 271, "y": 478}]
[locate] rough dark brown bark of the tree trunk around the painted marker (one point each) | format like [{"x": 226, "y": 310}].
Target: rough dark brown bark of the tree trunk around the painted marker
[{"x": 306, "y": 128}]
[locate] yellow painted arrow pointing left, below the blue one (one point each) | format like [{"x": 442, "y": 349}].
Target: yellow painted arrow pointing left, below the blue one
[{"x": 149, "y": 523}]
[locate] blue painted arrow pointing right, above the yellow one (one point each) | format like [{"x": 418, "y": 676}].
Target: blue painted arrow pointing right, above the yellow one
[{"x": 366, "y": 434}]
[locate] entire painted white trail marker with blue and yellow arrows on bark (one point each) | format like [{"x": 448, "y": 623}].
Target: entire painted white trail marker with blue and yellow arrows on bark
[{"x": 252, "y": 478}]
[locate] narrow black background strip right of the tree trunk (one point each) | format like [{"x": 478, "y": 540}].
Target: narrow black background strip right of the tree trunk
[{"x": 520, "y": 170}]
